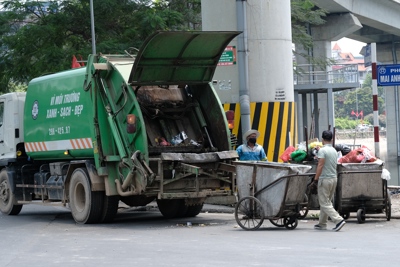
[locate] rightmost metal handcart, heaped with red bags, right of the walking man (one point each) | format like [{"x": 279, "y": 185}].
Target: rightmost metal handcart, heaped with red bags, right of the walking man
[{"x": 361, "y": 189}]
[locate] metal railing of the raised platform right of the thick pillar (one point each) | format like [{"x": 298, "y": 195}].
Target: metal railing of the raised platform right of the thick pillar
[{"x": 339, "y": 73}]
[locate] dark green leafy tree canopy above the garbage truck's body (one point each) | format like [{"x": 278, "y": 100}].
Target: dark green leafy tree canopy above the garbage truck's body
[{"x": 39, "y": 38}]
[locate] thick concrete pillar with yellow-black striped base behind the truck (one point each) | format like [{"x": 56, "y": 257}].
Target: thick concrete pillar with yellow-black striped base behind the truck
[{"x": 270, "y": 69}]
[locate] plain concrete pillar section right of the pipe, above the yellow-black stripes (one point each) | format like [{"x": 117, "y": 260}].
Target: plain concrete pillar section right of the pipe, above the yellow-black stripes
[{"x": 270, "y": 48}]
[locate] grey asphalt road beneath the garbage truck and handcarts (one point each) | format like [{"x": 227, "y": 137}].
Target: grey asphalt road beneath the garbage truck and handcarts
[{"x": 48, "y": 236}]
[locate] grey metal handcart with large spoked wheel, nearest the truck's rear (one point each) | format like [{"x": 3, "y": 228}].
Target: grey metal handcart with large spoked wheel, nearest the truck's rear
[{"x": 273, "y": 191}]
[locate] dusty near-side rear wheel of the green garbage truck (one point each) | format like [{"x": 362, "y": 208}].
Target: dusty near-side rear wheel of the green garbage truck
[{"x": 86, "y": 205}]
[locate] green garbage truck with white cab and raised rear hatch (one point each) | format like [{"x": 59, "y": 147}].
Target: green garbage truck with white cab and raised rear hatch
[{"x": 134, "y": 128}]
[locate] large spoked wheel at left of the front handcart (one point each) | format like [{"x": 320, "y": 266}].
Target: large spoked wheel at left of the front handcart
[{"x": 249, "y": 213}]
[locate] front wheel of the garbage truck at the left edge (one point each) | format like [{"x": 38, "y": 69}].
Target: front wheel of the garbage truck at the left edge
[{"x": 7, "y": 198}]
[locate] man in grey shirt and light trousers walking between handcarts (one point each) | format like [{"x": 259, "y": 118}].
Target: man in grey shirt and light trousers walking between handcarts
[{"x": 326, "y": 177}]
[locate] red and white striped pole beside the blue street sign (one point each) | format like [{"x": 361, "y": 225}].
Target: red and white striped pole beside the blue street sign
[{"x": 375, "y": 98}]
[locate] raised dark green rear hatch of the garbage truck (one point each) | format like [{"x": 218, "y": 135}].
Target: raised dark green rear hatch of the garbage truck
[{"x": 179, "y": 57}]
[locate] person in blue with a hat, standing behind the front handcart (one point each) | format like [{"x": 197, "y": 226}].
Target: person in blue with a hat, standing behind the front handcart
[{"x": 251, "y": 150}]
